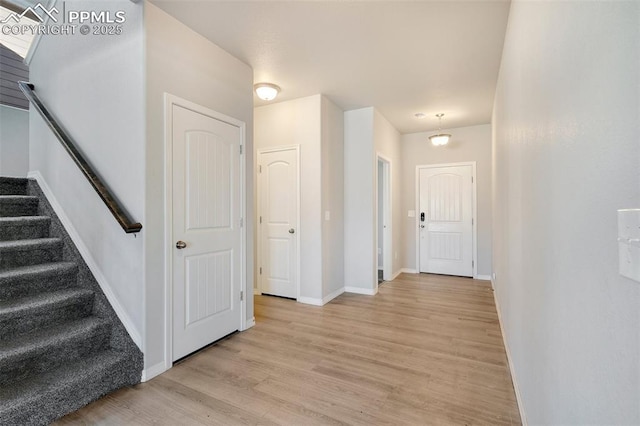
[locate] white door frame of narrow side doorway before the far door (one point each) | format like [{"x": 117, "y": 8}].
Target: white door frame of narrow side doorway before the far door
[{"x": 387, "y": 195}]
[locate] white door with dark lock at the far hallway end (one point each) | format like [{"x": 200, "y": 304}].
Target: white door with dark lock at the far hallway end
[{"x": 445, "y": 220}]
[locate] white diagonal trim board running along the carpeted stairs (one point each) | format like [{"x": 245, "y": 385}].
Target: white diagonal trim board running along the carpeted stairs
[{"x": 87, "y": 257}]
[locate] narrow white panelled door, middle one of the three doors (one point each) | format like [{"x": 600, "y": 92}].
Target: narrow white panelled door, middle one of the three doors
[{"x": 278, "y": 222}]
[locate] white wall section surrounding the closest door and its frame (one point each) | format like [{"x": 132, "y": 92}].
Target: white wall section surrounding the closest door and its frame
[{"x": 185, "y": 64}]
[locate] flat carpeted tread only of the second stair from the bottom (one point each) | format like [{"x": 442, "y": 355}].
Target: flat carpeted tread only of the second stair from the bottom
[{"x": 50, "y": 336}]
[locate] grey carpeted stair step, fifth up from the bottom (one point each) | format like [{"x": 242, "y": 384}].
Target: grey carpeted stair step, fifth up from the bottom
[{"x": 14, "y": 254}]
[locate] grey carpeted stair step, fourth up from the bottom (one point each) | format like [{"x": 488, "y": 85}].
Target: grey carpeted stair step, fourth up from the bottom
[{"x": 30, "y": 280}]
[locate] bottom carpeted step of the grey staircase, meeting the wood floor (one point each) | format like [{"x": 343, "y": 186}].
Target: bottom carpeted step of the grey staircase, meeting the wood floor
[{"x": 48, "y": 396}]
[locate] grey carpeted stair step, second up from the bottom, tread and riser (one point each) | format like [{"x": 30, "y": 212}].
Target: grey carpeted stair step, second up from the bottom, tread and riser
[{"x": 48, "y": 348}]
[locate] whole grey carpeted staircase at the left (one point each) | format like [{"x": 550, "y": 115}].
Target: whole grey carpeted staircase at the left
[{"x": 61, "y": 344}]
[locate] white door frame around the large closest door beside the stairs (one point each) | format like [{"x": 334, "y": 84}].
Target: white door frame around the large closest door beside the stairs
[{"x": 169, "y": 101}]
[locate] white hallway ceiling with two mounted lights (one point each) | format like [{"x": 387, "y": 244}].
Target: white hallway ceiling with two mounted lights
[{"x": 403, "y": 57}]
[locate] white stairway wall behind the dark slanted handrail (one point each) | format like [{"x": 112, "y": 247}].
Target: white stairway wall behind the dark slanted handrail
[{"x": 94, "y": 85}]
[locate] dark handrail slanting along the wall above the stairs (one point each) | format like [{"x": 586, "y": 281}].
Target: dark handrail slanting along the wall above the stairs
[{"x": 105, "y": 194}]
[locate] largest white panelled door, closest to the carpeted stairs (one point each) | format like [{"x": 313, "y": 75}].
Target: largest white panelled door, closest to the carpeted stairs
[{"x": 206, "y": 228}]
